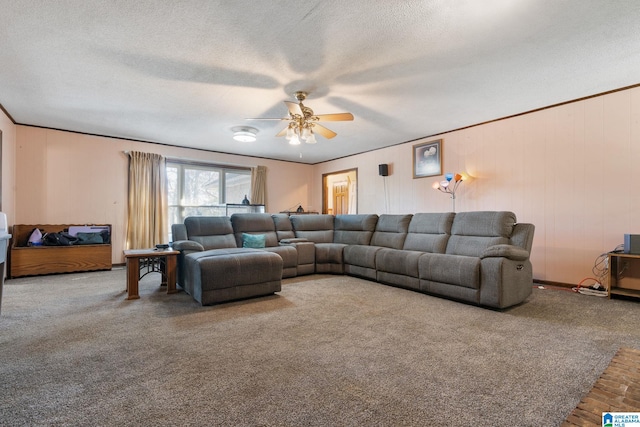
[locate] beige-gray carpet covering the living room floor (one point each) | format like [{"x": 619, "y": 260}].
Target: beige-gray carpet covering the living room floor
[{"x": 327, "y": 350}]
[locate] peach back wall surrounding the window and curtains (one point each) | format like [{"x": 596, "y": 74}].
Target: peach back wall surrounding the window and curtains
[{"x": 64, "y": 177}]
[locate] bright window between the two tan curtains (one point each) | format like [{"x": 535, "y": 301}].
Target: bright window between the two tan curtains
[{"x": 201, "y": 189}]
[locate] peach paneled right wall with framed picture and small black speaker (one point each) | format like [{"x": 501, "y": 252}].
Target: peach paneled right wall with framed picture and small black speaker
[{"x": 572, "y": 170}]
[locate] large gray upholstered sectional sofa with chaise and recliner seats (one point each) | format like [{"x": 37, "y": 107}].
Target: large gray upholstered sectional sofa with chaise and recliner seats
[{"x": 480, "y": 258}]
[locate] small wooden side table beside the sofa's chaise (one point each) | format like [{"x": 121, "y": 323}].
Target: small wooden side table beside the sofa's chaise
[{"x": 141, "y": 262}]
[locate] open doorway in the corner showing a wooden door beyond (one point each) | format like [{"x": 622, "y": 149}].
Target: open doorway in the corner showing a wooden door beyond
[{"x": 340, "y": 192}]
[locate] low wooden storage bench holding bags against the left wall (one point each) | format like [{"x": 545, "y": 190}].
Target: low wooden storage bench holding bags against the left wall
[{"x": 35, "y": 260}]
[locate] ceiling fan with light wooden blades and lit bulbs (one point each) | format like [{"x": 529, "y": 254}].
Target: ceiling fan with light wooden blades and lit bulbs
[{"x": 303, "y": 123}]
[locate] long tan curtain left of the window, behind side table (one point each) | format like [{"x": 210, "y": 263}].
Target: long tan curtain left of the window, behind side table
[{"x": 147, "y": 222}]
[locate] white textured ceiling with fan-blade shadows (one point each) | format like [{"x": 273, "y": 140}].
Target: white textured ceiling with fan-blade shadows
[{"x": 185, "y": 72}]
